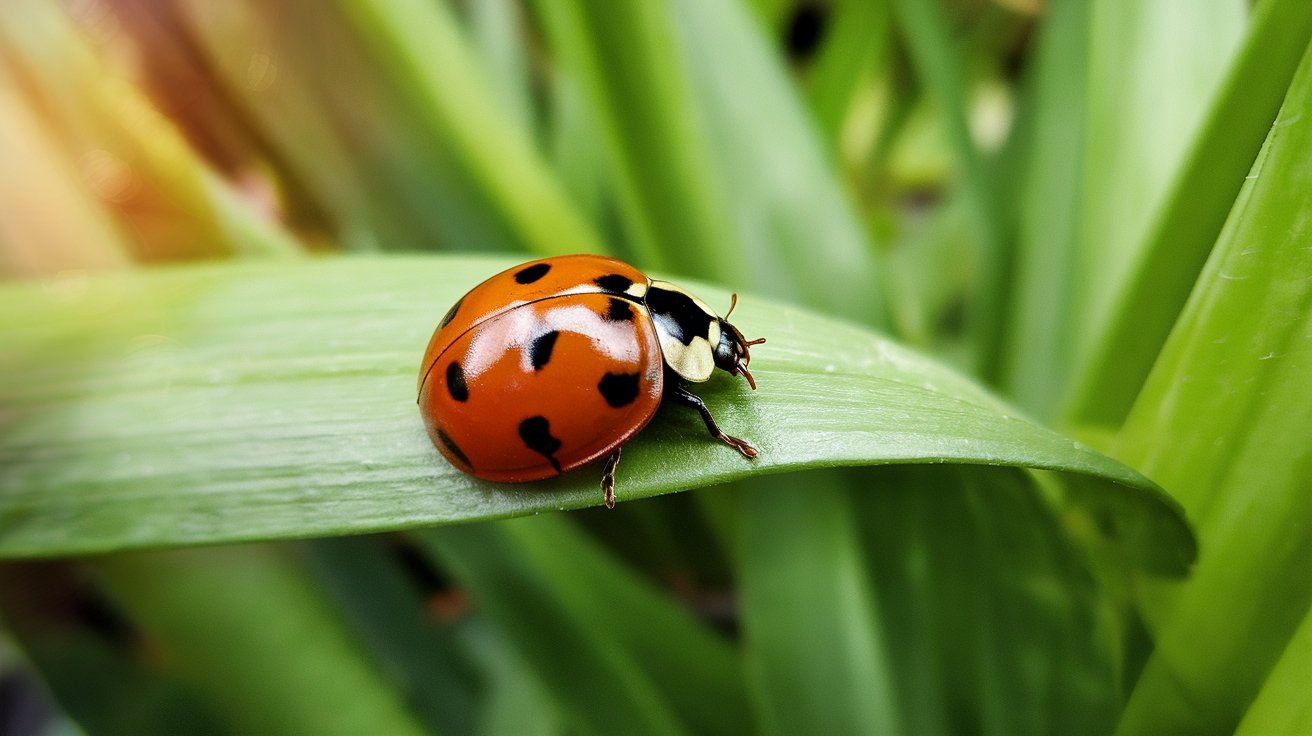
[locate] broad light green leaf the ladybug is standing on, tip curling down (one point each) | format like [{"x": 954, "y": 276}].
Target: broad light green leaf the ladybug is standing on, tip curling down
[{"x": 258, "y": 401}]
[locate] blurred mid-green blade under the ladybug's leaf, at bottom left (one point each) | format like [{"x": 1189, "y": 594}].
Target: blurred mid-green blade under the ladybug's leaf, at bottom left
[{"x": 245, "y": 624}]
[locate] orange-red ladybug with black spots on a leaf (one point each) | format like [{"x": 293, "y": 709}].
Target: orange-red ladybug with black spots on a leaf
[{"x": 558, "y": 363}]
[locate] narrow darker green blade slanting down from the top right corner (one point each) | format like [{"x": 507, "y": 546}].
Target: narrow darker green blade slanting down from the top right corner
[{"x": 1192, "y": 216}]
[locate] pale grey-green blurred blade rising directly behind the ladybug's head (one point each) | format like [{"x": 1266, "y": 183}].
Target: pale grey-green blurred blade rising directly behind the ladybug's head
[{"x": 794, "y": 230}]
